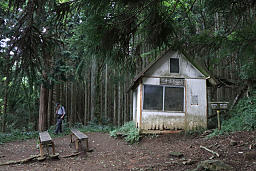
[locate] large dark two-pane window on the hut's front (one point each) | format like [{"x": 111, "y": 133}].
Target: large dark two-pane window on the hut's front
[{"x": 164, "y": 98}]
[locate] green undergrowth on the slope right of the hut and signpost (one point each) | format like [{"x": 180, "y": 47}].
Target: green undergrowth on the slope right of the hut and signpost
[{"x": 242, "y": 117}]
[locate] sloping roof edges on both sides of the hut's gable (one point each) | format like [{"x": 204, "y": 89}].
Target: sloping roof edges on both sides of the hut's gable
[{"x": 138, "y": 77}]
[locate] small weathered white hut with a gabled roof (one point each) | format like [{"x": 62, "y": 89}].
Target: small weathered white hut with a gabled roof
[{"x": 170, "y": 94}]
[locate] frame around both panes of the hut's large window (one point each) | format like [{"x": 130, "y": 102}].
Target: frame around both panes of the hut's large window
[{"x": 163, "y": 89}]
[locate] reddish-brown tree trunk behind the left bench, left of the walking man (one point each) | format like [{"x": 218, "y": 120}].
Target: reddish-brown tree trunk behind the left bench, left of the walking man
[{"x": 42, "y": 125}]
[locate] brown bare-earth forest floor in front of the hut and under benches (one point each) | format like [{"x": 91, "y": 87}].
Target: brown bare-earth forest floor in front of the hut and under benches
[{"x": 151, "y": 153}]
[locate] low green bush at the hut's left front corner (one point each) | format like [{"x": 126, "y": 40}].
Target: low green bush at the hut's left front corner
[{"x": 129, "y": 132}]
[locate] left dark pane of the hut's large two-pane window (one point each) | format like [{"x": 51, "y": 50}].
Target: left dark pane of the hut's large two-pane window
[{"x": 153, "y": 97}]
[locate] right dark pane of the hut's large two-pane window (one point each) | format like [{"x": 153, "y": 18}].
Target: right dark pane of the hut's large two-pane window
[{"x": 174, "y": 99}]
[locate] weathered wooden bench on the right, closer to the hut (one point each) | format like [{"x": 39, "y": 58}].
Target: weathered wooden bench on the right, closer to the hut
[{"x": 79, "y": 138}]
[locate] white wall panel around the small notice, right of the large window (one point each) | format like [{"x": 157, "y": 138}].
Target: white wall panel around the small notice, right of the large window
[{"x": 196, "y": 115}]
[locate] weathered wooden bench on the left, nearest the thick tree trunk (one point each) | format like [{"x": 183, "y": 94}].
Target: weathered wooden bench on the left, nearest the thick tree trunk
[{"x": 46, "y": 140}]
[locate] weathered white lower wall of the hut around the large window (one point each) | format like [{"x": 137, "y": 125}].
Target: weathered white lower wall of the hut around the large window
[{"x": 195, "y": 109}]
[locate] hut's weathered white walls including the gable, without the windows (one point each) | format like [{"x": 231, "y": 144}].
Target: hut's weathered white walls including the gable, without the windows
[{"x": 194, "y": 113}]
